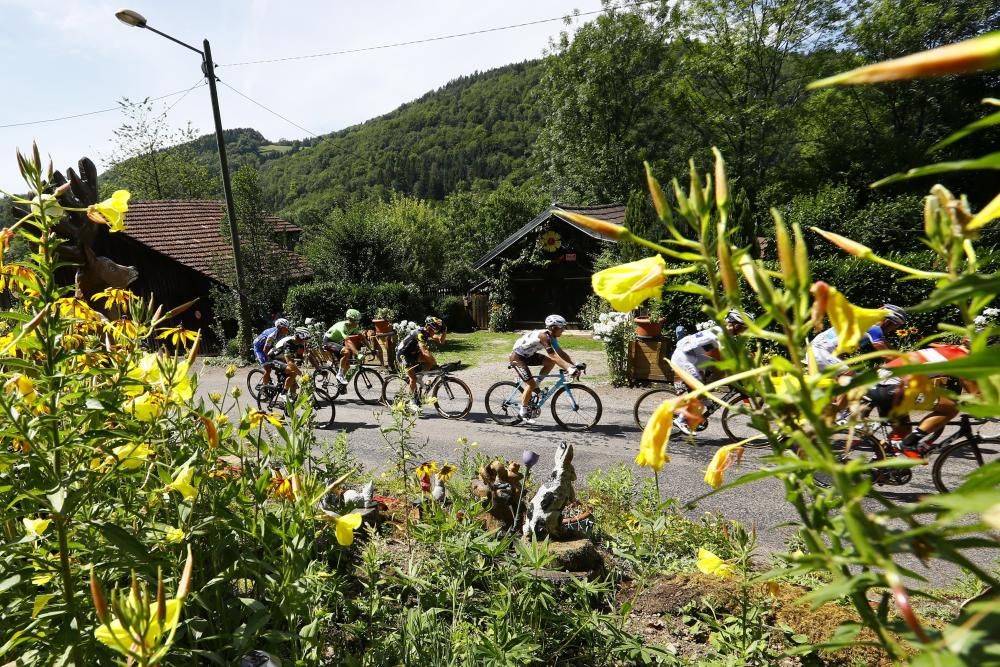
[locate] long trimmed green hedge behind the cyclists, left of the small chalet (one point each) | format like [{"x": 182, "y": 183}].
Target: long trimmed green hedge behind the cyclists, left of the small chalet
[{"x": 328, "y": 301}]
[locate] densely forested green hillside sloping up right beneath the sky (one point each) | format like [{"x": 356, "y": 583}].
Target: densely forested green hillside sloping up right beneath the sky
[{"x": 477, "y": 130}]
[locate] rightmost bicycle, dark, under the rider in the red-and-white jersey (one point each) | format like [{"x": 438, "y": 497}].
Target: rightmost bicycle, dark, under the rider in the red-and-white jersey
[{"x": 959, "y": 455}]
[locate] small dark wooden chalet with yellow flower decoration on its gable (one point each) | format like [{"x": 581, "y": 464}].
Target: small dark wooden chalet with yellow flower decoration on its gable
[{"x": 561, "y": 282}]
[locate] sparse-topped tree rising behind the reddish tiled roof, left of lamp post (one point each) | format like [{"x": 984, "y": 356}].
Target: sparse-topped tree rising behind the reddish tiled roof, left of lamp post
[{"x": 153, "y": 160}]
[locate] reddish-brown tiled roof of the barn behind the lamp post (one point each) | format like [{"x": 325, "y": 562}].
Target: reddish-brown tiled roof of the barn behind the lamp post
[{"x": 189, "y": 232}]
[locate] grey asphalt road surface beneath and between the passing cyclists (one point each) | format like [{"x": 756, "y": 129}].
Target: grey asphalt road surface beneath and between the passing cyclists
[{"x": 614, "y": 441}]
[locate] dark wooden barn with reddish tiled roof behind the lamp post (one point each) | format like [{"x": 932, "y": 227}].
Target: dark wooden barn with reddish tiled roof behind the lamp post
[{"x": 179, "y": 250}]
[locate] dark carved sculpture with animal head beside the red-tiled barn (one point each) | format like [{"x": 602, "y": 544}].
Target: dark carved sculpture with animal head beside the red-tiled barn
[{"x": 79, "y": 232}]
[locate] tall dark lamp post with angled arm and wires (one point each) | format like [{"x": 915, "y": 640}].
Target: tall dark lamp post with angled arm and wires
[{"x": 137, "y": 20}]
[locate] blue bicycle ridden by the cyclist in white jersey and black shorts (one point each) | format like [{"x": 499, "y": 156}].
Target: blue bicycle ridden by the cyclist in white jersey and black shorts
[{"x": 583, "y": 405}]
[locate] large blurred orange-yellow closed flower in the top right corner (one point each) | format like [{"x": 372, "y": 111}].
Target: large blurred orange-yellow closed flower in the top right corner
[{"x": 974, "y": 54}]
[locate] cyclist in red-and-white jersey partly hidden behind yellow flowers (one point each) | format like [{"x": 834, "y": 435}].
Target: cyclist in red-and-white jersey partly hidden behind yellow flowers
[{"x": 889, "y": 393}]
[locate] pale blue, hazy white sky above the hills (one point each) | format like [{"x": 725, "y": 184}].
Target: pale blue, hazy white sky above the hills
[{"x": 74, "y": 57}]
